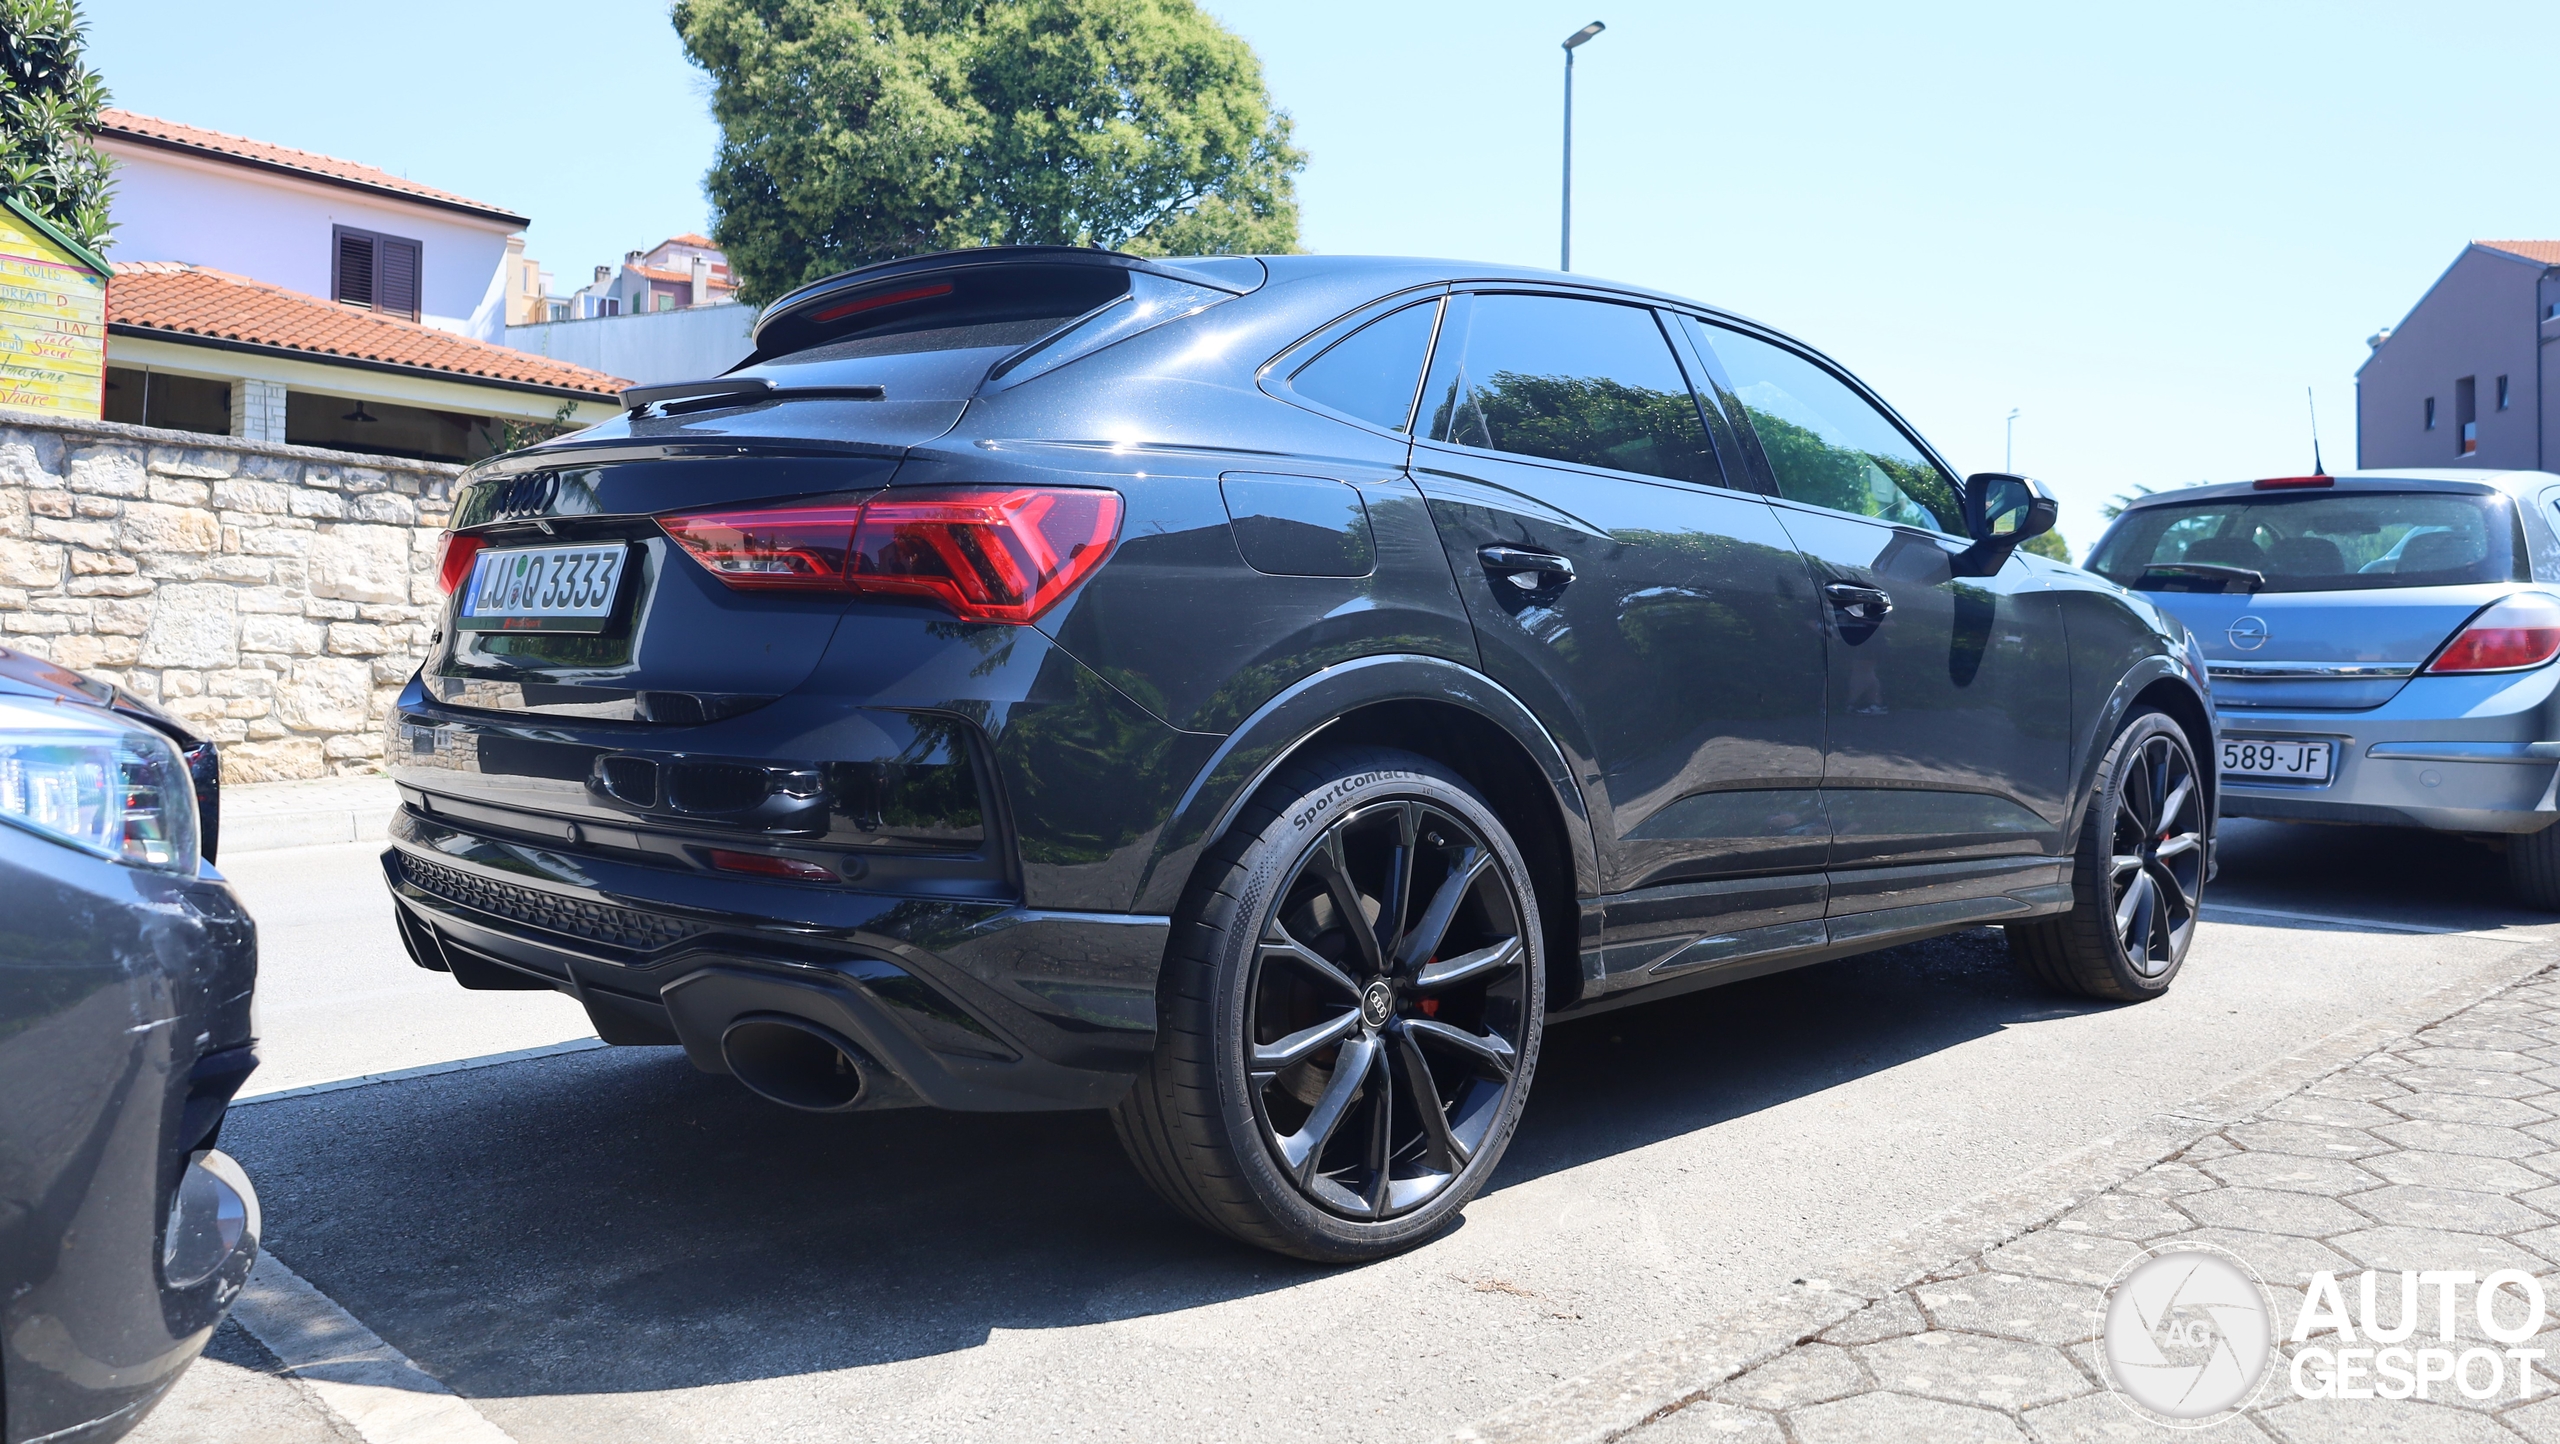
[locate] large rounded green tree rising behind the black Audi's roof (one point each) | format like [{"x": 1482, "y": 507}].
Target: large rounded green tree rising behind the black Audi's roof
[{"x": 859, "y": 132}]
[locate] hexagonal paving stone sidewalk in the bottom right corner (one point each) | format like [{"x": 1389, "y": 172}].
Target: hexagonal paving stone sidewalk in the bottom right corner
[{"x": 2436, "y": 1153}]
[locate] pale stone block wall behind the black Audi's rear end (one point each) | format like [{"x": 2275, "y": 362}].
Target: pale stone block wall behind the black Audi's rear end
[{"x": 270, "y": 595}]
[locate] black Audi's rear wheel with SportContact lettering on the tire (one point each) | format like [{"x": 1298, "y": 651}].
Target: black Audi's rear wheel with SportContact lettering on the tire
[{"x": 1292, "y": 1056}]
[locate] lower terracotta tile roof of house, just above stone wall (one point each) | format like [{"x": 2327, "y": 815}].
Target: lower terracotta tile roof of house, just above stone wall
[{"x": 198, "y": 301}]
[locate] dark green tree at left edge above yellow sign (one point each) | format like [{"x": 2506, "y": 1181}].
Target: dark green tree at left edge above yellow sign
[{"x": 50, "y": 104}]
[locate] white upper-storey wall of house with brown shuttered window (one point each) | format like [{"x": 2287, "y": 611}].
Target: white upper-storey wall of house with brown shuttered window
[{"x": 278, "y": 229}]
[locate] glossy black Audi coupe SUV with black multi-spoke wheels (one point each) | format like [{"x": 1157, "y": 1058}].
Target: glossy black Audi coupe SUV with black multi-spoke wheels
[{"x": 1256, "y": 695}]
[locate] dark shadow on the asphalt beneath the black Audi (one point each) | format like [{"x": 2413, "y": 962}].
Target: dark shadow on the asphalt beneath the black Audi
[{"x": 618, "y": 1223}]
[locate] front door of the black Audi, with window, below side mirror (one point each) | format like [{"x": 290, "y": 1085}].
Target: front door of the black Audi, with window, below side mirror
[{"x": 1949, "y": 728}]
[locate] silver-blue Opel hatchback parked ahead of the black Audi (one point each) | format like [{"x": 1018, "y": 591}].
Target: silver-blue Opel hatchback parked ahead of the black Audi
[{"x": 2382, "y": 646}]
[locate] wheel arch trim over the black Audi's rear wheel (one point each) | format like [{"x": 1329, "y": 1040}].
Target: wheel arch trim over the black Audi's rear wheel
[{"x": 1430, "y": 708}]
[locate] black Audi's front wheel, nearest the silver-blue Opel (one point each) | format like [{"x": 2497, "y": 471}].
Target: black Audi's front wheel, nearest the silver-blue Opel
[{"x": 2136, "y": 879}]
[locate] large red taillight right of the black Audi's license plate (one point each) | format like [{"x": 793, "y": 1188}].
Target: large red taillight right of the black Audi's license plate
[{"x": 989, "y": 554}]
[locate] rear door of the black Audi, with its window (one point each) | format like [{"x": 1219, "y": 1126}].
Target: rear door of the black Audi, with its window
[{"x": 1652, "y": 616}]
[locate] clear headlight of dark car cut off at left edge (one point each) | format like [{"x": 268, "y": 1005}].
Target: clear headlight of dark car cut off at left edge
[{"x": 96, "y": 782}]
